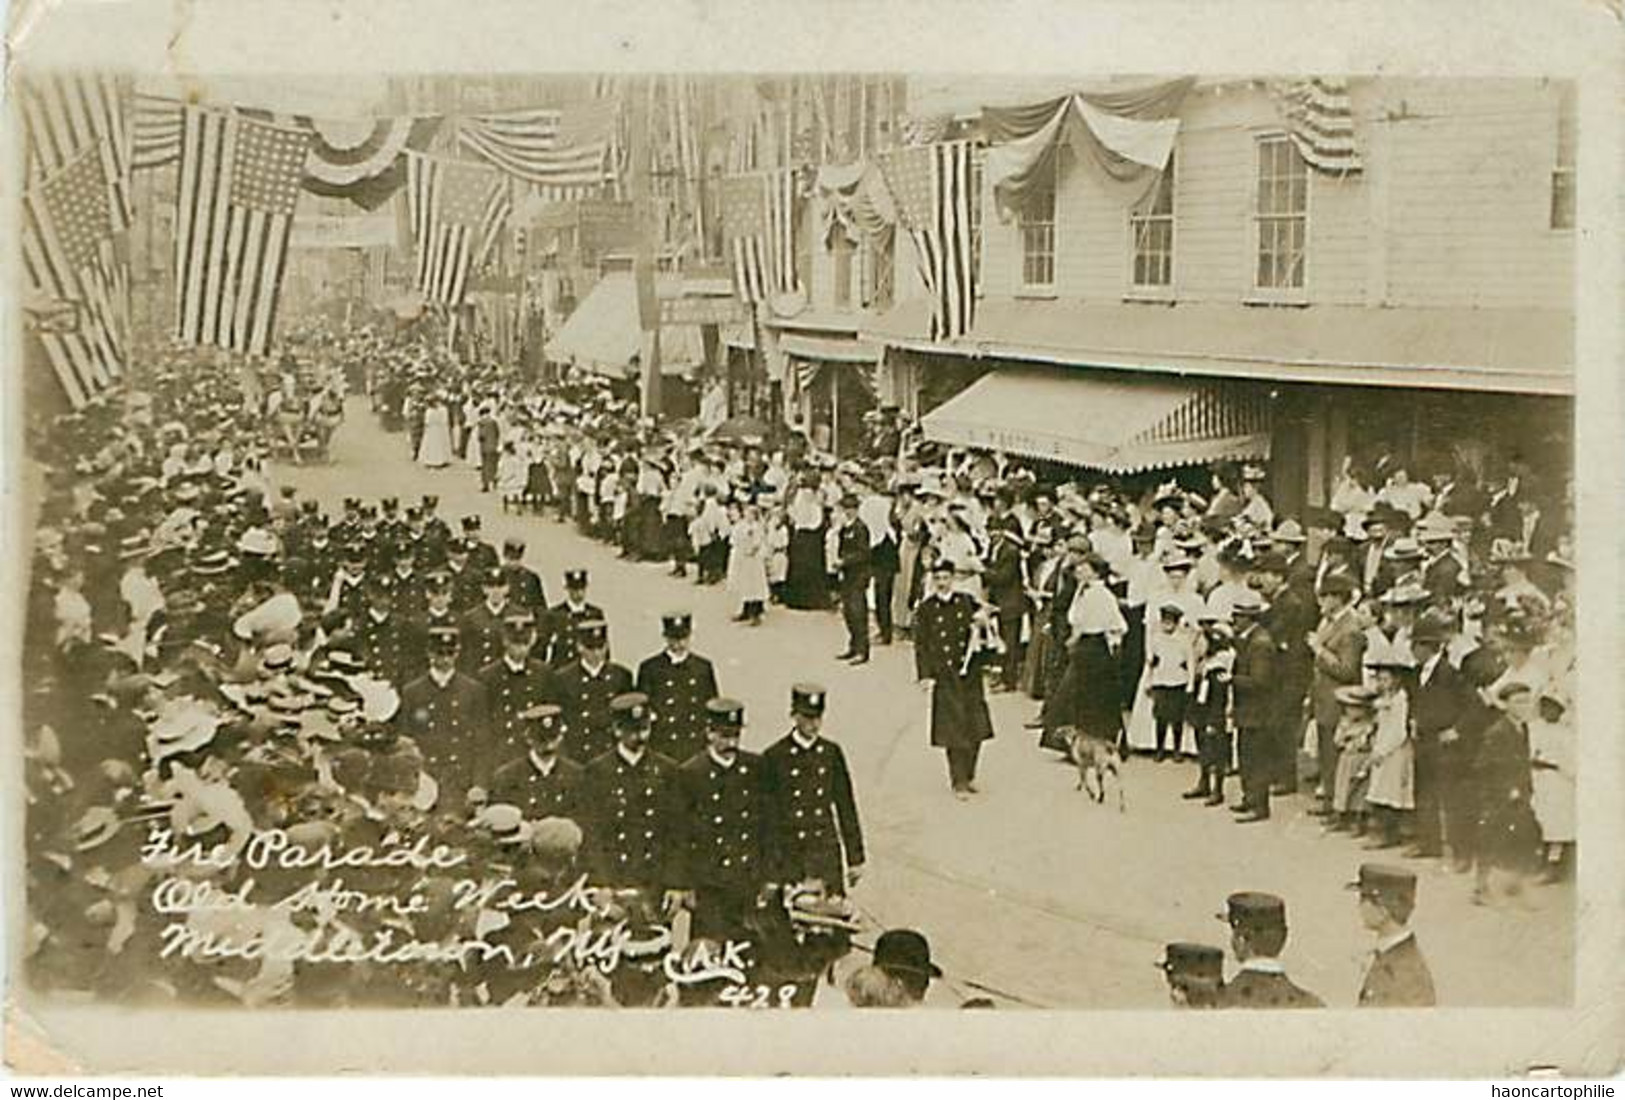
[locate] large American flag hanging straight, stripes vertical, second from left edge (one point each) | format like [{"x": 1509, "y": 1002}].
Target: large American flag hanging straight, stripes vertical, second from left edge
[{"x": 235, "y": 207}]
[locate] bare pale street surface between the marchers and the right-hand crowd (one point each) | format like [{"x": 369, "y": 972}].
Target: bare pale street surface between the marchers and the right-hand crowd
[{"x": 1031, "y": 893}]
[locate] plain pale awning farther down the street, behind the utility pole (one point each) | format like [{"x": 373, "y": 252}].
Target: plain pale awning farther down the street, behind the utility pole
[{"x": 604, "y": 332}]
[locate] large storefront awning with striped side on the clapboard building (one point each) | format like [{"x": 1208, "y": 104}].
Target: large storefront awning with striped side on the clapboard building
[{"x": 1119, "y": 427}]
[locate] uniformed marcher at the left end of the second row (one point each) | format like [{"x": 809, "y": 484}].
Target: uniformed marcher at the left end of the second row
[{"x": 444, "y": 712}]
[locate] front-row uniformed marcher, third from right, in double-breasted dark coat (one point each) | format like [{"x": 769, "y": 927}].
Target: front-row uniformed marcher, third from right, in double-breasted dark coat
[{"x": 630, "y": 799}]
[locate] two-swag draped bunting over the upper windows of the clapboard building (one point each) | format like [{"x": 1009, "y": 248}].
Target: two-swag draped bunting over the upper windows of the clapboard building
[{"x": 1127, "y": 136}]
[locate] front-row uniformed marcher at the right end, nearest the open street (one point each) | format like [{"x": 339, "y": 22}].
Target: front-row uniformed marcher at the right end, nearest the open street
[{"x": 812, "y": 812}]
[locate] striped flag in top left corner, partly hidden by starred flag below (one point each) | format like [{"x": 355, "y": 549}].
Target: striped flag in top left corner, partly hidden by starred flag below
[{"x": 67, "y": 115}]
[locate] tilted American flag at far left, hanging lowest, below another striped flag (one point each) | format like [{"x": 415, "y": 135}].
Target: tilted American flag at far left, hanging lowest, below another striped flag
[{"x": 69, "y": 258}]
